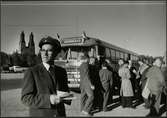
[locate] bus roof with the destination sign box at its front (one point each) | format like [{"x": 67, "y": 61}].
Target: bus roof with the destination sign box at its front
[{"x": 90, "y": 41}]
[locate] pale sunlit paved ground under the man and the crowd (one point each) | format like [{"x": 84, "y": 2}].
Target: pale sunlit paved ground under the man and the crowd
[{"x": 12, "y": 107}]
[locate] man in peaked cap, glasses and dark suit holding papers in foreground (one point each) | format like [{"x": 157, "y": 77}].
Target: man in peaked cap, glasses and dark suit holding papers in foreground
[{"x": 42, "y": 82}]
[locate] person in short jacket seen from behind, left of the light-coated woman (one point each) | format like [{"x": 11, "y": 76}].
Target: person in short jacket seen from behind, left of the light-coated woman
[{"x": 107, "y": 81}]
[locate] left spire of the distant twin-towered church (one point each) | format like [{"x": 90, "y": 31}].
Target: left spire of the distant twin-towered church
[{"x": 22, "y": 43}]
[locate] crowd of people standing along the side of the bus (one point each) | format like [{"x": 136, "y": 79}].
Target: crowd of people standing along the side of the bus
[{"x": 146, "y": 84}]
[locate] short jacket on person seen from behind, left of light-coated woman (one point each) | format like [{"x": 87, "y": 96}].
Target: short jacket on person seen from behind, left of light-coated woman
[{"x": 106, "y": 78}]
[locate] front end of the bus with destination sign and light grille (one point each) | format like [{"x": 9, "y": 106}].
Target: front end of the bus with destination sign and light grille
[{"x": 69, "y": 58}]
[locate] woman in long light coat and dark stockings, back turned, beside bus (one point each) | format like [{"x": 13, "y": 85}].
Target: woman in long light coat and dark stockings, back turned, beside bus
[{"x": 126, "y": 90}]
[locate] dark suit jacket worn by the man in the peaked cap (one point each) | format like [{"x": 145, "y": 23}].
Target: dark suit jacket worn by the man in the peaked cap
[{"x": 38, "y": 85}]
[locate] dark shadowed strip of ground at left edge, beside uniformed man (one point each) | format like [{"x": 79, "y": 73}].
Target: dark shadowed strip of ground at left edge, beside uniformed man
[{"x": 10, "y": 84}]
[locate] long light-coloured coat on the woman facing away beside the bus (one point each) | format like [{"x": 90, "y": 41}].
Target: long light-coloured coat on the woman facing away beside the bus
[{"x": 126, "y": 86}]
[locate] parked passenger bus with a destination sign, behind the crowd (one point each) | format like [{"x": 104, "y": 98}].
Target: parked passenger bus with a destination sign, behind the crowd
[{"x": 74, "y": 47}]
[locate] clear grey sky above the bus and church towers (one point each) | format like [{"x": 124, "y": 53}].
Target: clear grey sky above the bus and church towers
[{"x": 139, "y": 27}]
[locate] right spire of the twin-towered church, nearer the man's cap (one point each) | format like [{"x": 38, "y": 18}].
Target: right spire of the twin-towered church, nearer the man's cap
[{"x": 31, "y": 44}]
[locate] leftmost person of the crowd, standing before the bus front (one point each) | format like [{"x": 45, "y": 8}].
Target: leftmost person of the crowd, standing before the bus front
[{"x": 86, "y": 86}]
